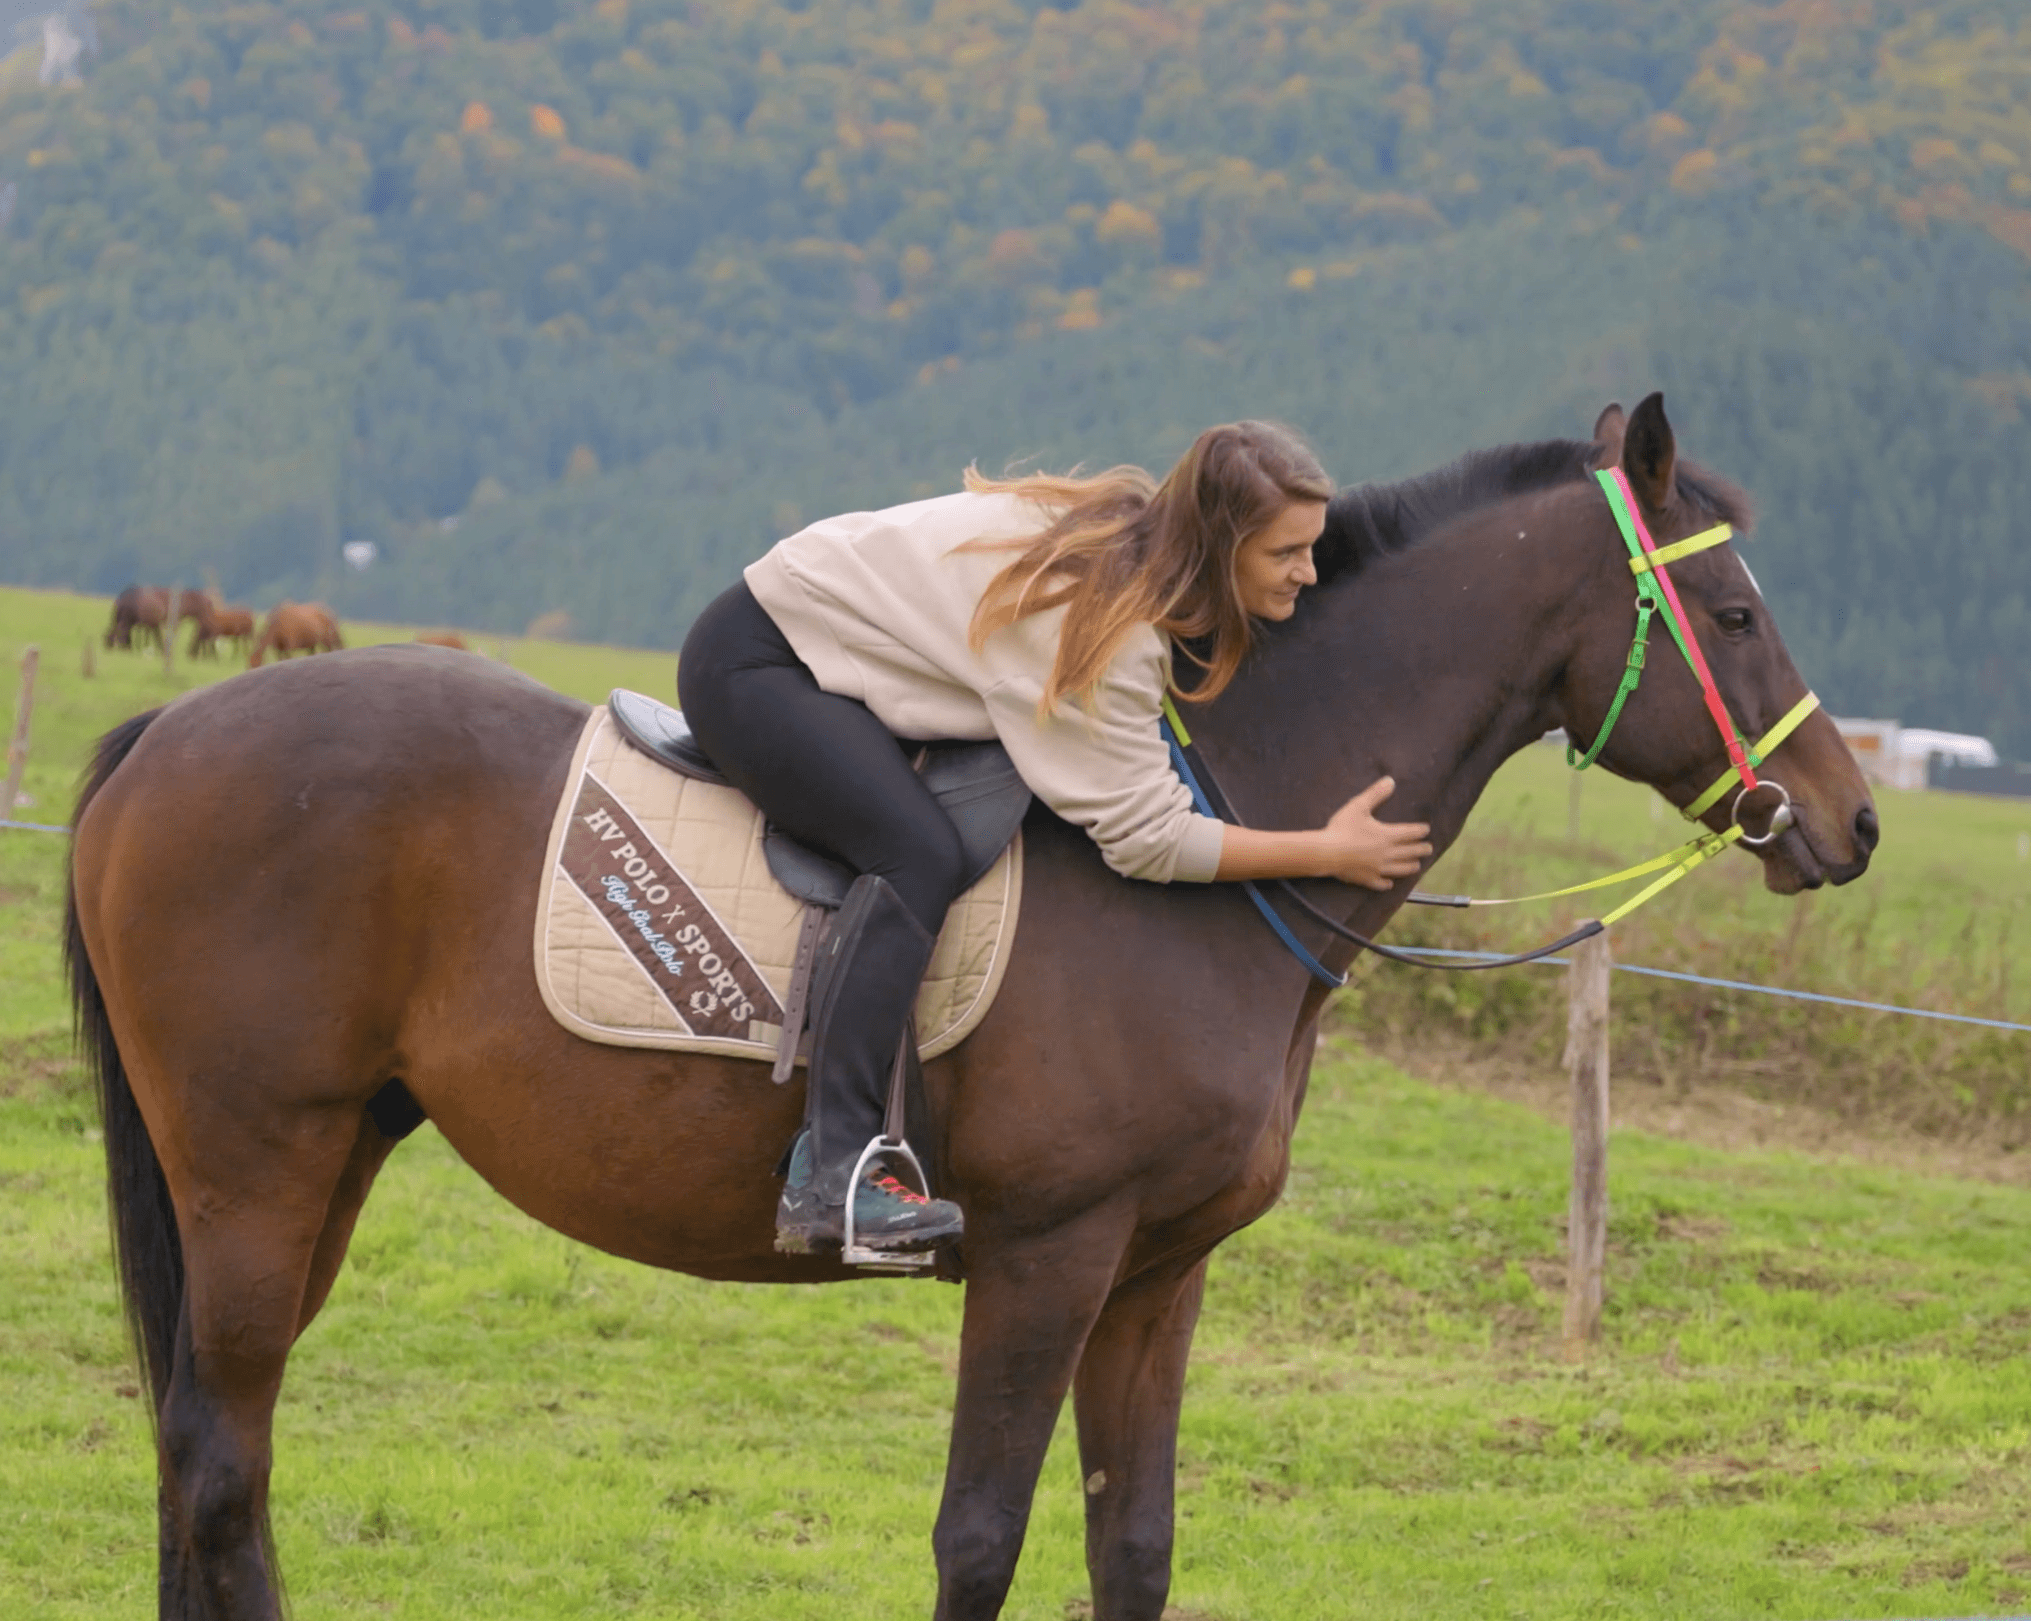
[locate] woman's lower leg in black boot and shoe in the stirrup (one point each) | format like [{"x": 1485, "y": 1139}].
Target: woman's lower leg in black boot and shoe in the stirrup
[{"x": 862, "y": 996}]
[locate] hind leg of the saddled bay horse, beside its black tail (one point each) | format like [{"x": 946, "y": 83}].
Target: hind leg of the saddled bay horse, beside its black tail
[{"x": 253, "y": 1212}]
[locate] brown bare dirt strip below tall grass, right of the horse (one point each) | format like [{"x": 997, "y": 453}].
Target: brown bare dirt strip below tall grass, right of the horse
[{"x": 1709, "y": 1116}]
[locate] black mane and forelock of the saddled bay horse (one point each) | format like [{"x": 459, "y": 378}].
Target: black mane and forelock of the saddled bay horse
[{"x": 1374, "y": 521}]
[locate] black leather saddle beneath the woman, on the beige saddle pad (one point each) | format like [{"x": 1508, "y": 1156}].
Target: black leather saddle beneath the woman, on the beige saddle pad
[{"x": 976, "y": 783}]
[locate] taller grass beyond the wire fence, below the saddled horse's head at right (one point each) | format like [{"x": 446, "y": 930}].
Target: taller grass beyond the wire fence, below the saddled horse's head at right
[{"x": 1941, "y": 921}]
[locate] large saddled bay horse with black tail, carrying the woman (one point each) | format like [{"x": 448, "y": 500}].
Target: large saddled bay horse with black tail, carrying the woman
[{"x": 1126, "y": 1106}]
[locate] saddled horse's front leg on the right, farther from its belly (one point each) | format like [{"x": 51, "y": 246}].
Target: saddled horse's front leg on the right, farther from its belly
[{"x": 1128, "y": 1397}]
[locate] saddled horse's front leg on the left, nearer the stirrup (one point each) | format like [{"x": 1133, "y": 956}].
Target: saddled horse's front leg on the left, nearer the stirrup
[{"x": 1031, "y": 1305}]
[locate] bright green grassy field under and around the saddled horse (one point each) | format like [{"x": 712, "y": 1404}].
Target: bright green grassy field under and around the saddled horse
[{"x": 1813, "y": 1399}]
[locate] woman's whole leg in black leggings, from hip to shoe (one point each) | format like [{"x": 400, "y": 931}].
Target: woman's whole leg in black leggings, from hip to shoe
[{"x": 830, "y": 773}]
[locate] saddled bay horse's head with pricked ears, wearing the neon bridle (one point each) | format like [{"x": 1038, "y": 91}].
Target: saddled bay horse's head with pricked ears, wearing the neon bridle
[{"x": 1666, "y": 736}]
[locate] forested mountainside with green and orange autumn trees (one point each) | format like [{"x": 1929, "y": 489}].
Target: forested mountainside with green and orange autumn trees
[{"x": 574, "y": 308}]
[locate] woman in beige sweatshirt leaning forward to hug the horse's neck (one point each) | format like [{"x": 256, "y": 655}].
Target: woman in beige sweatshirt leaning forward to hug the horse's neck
[{"x": 1037, "y": 610}]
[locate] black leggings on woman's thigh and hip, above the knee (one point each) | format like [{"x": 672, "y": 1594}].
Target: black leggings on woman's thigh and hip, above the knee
[{"x": 822, "y": 767}]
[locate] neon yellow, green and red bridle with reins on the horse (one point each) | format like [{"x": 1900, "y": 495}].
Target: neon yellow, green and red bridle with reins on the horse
[{"x": 1656, "y": 596}]
